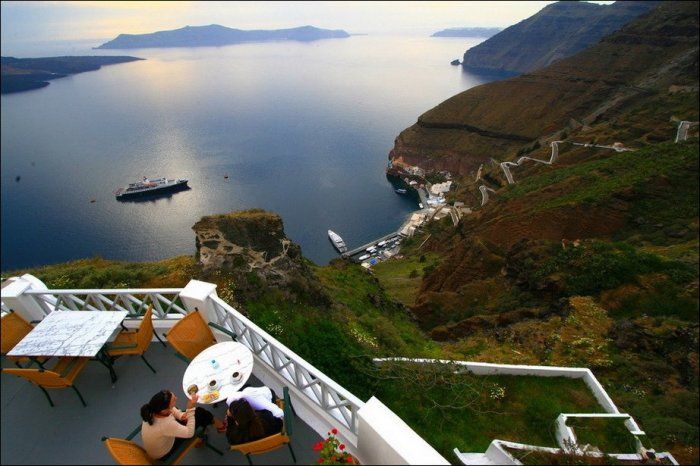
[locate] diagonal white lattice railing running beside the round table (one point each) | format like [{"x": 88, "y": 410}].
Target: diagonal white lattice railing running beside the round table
[{"x": 322, "y": 391}]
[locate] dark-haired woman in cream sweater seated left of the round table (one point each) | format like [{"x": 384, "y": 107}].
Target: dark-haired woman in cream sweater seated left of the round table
[{"x": 165, "y": 427}]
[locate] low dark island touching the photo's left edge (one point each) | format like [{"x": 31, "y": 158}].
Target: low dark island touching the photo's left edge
[{"x": 24, "y": 74}]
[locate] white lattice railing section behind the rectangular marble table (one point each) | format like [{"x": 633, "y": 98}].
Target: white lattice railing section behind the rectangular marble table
[{"x": 133, "y": 301}]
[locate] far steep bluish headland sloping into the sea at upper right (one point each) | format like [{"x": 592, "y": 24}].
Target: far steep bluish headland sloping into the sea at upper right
[{"x": 558, "y": 31}]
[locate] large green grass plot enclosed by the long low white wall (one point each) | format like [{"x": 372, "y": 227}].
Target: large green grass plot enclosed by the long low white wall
[{"x": 526, "y": 413}]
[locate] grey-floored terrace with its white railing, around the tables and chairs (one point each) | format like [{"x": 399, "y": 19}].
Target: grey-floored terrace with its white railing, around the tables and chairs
[{"x": 35, "y": 433}]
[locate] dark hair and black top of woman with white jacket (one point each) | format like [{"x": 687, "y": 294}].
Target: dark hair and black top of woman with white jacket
[{"x": 246, "y": 424}]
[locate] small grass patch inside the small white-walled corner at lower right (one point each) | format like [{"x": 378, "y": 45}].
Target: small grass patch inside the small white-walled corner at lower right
[{"x": 608, "y": 435}]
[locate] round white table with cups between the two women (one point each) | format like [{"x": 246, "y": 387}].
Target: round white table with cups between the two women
[{"x": 231, "y": 357}]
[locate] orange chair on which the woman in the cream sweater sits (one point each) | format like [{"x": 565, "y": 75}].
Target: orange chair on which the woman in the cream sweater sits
[{"x": 124, "y": 451}]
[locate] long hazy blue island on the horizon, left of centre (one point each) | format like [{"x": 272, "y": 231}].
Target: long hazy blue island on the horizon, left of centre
[{"x": 215, "y": 35}]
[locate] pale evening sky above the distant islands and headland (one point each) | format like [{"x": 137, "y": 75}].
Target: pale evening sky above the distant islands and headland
[{"x": 99, "y": 21}]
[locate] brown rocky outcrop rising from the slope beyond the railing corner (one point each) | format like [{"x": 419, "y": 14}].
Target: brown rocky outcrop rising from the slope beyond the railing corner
[{"x": 249, "y": 241}]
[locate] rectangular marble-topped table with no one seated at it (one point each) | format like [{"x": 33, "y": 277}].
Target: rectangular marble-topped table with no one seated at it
[{"x": 80, "y": 334}]
